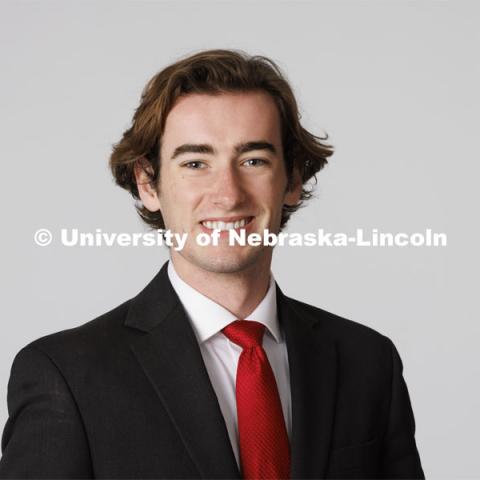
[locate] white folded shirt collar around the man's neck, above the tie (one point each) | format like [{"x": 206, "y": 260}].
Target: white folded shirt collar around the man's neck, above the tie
[{"x": 208, "y": 317}]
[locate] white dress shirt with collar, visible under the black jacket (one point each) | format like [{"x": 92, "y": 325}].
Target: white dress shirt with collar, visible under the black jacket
[{"x": 220, "y": 355}]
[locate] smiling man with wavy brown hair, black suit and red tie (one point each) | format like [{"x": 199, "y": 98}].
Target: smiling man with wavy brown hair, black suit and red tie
[{"x": 211, "y": 371}]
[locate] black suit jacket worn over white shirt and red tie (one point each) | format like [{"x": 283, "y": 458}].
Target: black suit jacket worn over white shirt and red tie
[{"x": 127, "y": 395}]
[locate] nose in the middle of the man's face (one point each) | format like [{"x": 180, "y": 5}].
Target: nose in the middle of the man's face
[{"x": 228, "y": 191}]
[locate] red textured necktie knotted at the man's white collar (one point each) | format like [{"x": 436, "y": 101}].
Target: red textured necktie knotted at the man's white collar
[{"x": 264, "y": 449}]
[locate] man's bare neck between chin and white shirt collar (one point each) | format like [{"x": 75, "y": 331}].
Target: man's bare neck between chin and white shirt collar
[{"x": 239, "y": 292}]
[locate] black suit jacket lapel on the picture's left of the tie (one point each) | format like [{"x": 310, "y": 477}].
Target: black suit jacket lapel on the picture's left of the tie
[{"x": 171, "y": 359}]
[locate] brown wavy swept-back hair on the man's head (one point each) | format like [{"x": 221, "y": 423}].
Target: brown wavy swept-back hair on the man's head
[{"x": 214, "y": 72}]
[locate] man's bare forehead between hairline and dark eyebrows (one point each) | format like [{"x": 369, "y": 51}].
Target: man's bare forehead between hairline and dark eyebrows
[{"x": 224, "y": 119}]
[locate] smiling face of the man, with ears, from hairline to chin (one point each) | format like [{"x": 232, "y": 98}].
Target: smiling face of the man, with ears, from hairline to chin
[{"x": 222, "y": 167}]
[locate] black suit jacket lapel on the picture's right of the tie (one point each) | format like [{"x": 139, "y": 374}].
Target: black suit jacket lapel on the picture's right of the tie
[{"x": 312, "y": 362}]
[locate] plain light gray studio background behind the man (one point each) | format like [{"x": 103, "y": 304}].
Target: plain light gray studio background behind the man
[{"x": 395, "y": 84}]
